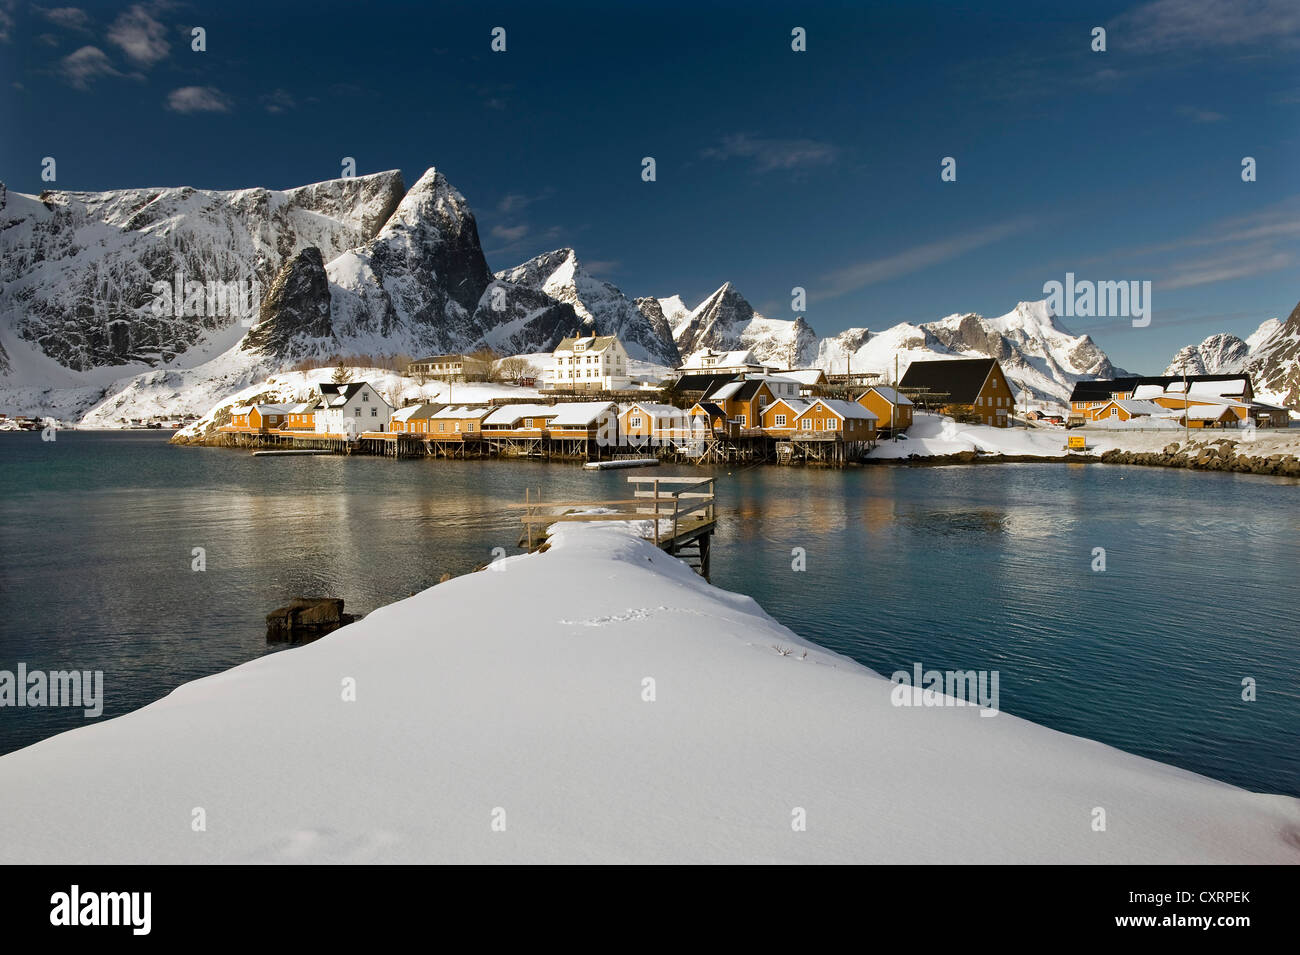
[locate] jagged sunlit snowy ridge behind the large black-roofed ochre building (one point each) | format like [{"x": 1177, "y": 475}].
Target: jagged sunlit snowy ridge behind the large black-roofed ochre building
[{"x": 1038, "y": 354}]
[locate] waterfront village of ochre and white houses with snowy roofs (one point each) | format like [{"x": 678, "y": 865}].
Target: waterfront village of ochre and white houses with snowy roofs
[{"x": 716, "y": 409}]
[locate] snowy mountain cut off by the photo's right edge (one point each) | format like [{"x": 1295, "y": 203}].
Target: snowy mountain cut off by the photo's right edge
[{"x": 1271, "y": 357}]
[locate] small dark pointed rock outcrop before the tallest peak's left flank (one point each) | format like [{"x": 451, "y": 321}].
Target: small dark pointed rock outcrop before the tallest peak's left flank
[{"x": 296, "y": 311}]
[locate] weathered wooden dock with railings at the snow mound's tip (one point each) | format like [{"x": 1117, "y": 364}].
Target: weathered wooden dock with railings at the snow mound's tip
[{"x": 679, "y": 515}]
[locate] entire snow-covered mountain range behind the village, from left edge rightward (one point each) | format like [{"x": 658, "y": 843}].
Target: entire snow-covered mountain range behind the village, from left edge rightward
[{"x": 362, "y": 266}]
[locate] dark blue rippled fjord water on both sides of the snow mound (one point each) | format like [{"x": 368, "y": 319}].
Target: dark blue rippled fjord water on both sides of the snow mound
[{"x": 986, "y": 568}]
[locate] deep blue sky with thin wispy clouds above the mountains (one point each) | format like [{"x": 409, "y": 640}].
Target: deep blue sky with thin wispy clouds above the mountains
[{"x": 774, "y": 168}]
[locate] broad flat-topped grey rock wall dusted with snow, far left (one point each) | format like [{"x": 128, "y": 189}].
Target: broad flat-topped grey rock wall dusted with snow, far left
[{"x": 79, "y": 271}]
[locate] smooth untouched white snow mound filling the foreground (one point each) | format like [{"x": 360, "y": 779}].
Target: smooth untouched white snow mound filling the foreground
[{"x": 518, "y": 697}]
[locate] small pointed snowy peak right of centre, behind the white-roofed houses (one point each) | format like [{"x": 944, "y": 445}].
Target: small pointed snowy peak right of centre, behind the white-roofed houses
[{"x": 726, "y": 322}]
